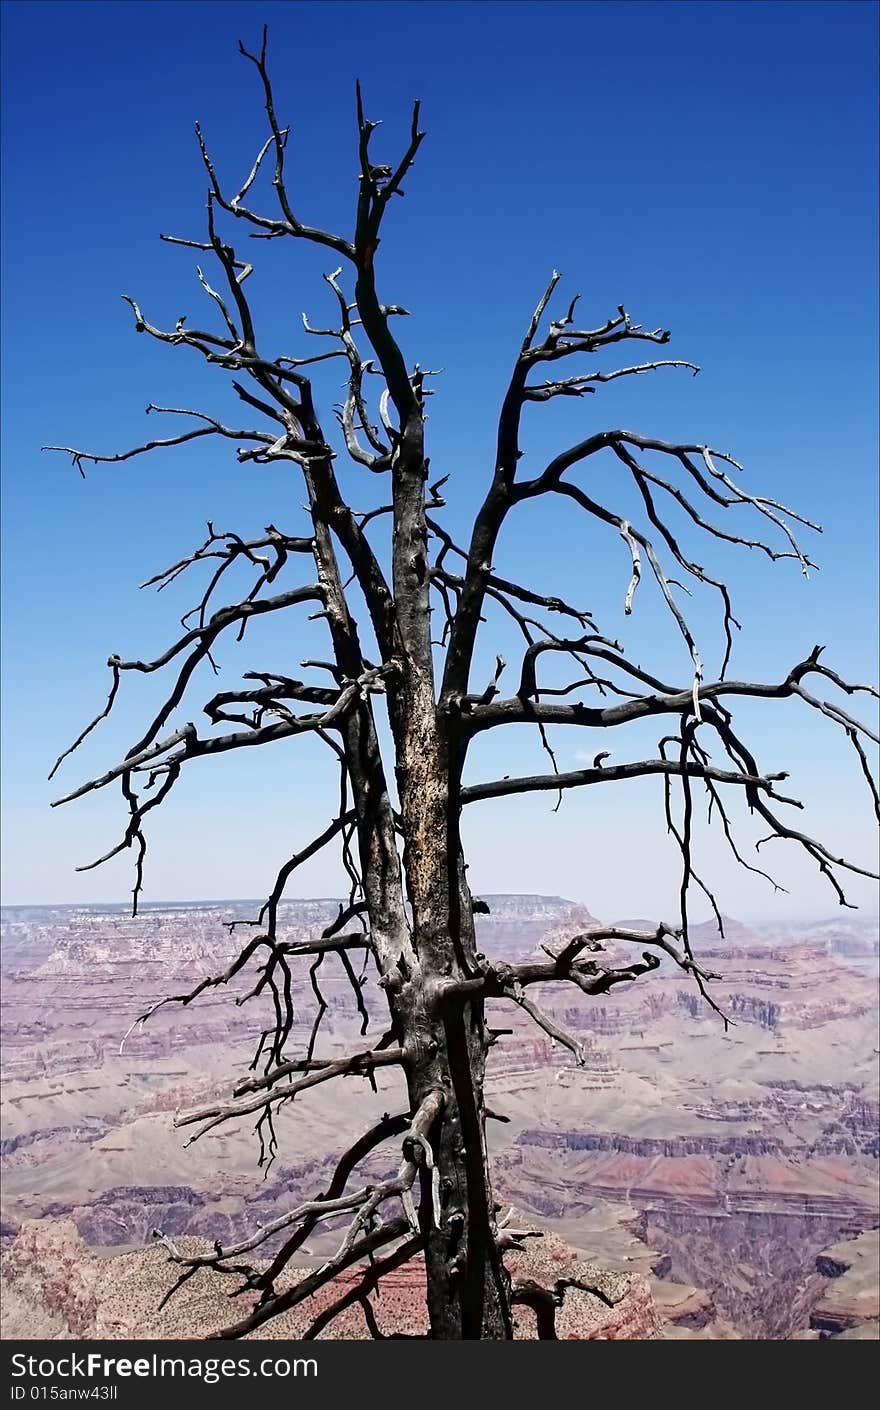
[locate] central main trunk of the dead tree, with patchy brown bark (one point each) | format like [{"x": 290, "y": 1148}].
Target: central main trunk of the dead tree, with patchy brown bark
[{"x": 445, "y": 1041}]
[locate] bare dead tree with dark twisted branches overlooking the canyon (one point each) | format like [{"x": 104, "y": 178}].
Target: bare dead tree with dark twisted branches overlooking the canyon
[{"x": 411, "y": 913}]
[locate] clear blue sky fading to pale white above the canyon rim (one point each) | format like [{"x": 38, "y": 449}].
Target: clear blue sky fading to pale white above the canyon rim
[{"x": 710, "y": 166}]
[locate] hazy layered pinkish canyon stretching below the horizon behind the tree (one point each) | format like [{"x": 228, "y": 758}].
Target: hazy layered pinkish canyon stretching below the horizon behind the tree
[{"x": 728, "y": 1177}]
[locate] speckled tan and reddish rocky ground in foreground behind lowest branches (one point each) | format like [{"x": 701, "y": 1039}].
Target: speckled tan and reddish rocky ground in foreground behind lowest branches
[{"x": 54, "y": 1288}]
